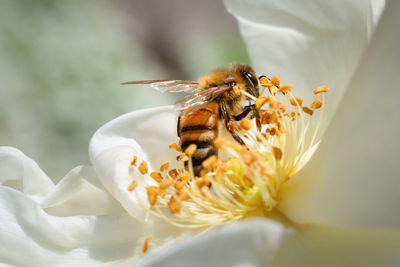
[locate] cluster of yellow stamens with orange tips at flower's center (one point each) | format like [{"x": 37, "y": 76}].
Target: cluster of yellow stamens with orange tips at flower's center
[{"x": 249, "y": 181}]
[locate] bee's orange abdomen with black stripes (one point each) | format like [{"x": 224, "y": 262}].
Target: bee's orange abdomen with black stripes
[{"x": 200, "y": 128}]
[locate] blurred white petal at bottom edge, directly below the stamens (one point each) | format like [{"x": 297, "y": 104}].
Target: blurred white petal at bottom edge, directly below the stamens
[{"x": 248, "y": 243}]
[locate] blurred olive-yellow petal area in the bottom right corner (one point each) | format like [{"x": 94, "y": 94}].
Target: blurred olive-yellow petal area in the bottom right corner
[{"x": 314, "y": 245}]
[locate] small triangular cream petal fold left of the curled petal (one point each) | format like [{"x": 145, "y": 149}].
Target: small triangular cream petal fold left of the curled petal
[{"x": 80, "y": 193}]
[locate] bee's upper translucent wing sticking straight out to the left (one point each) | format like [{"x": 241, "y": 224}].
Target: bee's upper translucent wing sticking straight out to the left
[{"x": 172, "y": 86}]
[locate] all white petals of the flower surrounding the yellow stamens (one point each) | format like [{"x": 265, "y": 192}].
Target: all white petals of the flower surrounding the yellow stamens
[{"x": 341, "y": 208}]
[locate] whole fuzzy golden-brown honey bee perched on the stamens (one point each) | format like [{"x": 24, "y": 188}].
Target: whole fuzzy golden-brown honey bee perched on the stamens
[{"x": 213, "y": 104}]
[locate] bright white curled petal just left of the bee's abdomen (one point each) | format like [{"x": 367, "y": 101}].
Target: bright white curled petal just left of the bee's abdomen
[{"x": 146, "y": 134}]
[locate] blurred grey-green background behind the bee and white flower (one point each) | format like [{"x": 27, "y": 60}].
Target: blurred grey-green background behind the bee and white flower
[{"x": 61, "y": 63}]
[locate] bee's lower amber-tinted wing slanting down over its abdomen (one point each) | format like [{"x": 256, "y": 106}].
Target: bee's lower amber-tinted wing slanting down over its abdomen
[{"x": 200, "y": 99}]
